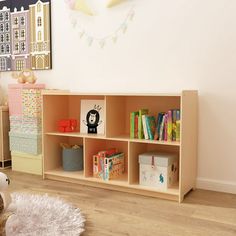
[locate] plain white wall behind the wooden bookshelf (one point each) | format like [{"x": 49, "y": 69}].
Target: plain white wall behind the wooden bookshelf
[{"x": 169, "y": 46}]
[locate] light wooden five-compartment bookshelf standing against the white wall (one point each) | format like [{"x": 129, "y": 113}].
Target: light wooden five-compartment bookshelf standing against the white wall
[{"x": 63, "y": 104}]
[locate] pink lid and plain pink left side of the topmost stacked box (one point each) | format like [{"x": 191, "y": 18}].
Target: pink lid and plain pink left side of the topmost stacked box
[{"x": 15, "y": 94}]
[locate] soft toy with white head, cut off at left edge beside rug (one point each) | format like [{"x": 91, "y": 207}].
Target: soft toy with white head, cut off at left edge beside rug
[{"x": 5, "y": 200}]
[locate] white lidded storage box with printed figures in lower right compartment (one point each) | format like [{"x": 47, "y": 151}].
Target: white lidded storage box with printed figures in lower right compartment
[{"x": 158, "y": 169}]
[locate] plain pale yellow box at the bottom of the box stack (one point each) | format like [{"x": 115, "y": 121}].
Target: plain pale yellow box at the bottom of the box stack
[{"x": 27, "y": 163}]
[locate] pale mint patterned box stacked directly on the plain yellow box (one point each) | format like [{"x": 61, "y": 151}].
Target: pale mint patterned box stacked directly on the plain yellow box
[{"x": 28, "y": 143}]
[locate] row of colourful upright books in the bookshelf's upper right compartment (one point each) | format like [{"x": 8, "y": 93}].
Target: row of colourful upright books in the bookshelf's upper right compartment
[{"x": 163, "y": 127}]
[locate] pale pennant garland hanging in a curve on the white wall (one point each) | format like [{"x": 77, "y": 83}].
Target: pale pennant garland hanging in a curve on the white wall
[{"x": 111, "y": 37}]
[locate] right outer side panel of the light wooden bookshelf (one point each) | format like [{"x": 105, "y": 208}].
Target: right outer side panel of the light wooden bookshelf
[{"x": 188, "y": 151}]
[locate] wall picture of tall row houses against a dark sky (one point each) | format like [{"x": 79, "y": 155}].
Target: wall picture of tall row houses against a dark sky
[{"x": 25, "y": 35}]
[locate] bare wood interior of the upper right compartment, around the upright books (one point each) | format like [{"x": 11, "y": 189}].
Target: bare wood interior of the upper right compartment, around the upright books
[{"x": 119, "y": 109}]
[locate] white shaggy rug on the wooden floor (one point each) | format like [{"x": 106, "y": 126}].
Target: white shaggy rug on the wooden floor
[{"x": 41, "y": 215}]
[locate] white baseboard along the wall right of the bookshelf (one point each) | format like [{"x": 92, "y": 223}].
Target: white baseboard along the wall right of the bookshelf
[{"x": 216, "y": 185}]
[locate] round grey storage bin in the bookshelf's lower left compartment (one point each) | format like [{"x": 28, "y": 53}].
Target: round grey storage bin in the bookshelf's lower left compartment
[{"x": 72, "y": 159}]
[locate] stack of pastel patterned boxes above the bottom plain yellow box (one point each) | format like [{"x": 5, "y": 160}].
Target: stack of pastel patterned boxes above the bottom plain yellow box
[{"x": 25, "y": 108}]
